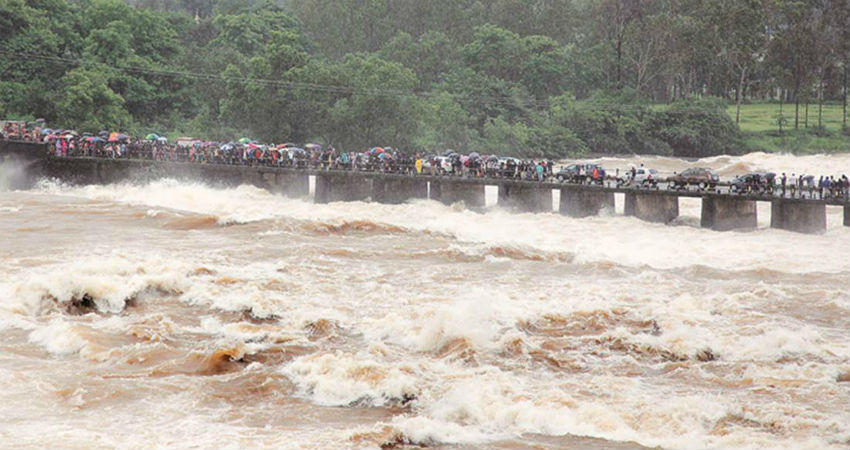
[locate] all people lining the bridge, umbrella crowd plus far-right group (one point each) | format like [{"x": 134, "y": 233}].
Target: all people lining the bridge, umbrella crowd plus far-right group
[{"x": 69, "y": 143}]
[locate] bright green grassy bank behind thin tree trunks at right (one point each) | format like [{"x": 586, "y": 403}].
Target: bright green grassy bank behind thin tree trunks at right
[{"x": 760, "y": 129}]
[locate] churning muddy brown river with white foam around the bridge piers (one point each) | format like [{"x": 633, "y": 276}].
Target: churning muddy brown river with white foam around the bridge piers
[{"x": 173, "y": 314}]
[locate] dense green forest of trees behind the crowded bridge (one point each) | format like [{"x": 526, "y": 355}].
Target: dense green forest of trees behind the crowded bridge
[{"x": 527, "y": 77}]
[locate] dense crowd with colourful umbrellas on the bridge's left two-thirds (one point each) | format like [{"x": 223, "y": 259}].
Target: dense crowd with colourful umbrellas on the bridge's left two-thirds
[{"x": 69, "y": 143}]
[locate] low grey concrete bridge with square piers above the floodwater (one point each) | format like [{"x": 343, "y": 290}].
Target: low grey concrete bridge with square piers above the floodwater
[{"x": 721, "y": 212}]
